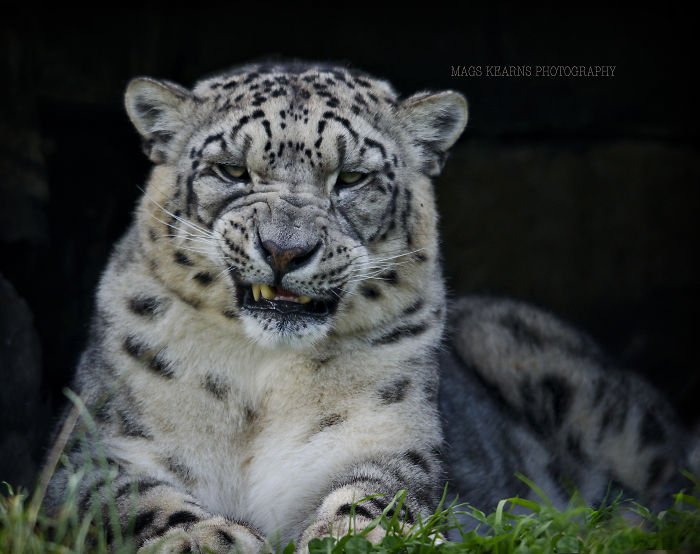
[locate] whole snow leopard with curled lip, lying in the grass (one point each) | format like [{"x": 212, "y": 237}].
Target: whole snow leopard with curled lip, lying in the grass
[{"x": 273, "y": 354}]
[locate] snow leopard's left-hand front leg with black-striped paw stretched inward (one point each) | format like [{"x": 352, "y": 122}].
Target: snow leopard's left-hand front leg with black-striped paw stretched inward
[{"x": 144, "y": 498}]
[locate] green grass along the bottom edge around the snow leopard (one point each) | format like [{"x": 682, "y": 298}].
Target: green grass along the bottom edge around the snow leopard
[{"x": 537, "y": 527}]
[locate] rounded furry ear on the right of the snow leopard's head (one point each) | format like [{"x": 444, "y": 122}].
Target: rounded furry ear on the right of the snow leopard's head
[{"x": 434, "y": 121}]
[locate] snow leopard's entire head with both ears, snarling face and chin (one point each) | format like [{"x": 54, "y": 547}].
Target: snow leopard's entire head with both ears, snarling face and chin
[{"x": 296, "y": 199}]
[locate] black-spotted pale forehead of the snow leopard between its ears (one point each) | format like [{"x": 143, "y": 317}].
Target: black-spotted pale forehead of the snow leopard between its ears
[{"x": 283, "y": 102}]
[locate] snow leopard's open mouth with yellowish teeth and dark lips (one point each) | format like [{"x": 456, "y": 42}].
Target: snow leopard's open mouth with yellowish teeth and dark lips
[{"x": 279, "y": 302}]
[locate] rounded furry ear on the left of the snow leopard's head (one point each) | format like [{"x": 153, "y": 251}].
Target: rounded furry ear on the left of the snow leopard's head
[{"x": 158, "y": 110}]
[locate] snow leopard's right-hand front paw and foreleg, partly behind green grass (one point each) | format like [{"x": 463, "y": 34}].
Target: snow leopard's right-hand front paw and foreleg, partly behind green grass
[{"x": 366, "y": 490}]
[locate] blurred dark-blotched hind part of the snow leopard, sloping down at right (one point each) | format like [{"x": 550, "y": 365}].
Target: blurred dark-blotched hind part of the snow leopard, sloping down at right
[{"x": 598, "y": 424}]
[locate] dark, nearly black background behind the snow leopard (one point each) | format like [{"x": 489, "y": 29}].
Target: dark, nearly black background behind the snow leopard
[{"x": 579, "y": 194}]
